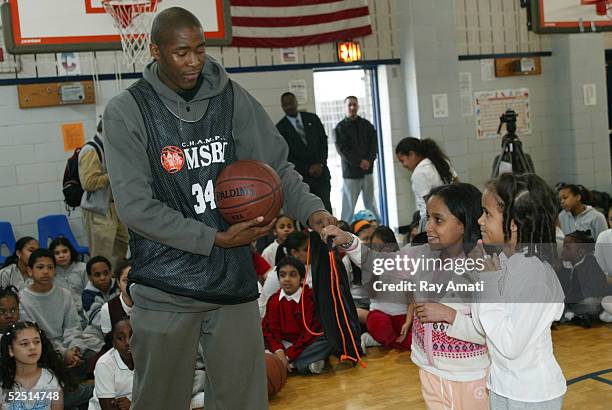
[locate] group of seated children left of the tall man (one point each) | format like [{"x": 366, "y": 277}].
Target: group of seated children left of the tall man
[{"x": 49, "y": 329}]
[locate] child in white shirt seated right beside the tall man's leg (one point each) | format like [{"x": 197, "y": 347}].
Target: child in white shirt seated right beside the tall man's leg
[{"x": 114, "y": 371}]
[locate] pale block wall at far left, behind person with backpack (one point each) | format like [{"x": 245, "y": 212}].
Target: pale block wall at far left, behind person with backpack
[{"x": 33, "y": 161}]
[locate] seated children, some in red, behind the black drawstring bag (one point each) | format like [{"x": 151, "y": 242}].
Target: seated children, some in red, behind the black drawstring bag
[{"x": 292, "y": 332}]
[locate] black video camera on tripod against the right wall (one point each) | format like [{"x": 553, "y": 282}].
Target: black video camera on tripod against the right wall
[{"x": 512, "y": 158}]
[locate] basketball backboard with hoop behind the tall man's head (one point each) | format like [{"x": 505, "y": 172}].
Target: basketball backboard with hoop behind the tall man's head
[{"x": 45, "y": 26}]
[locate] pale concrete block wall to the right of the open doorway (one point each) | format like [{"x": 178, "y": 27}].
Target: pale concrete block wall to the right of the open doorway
[{"x": 569, "y": 141}]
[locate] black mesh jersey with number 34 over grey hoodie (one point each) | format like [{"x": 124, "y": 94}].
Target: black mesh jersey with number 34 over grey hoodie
[{"x": 185, "y": 159}]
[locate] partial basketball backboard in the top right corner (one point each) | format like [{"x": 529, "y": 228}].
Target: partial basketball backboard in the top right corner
[{"x": 570, "y": 16}]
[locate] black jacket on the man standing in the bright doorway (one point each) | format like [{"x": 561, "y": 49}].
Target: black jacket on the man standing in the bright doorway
[{"x": 356, "y": 140}]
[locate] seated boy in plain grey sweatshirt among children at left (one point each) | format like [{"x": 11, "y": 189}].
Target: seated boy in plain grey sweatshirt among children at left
[{"x": 52, "y": 308}]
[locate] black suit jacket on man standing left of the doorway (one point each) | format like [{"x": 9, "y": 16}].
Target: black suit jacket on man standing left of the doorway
[{"x": 303, "y": 156}]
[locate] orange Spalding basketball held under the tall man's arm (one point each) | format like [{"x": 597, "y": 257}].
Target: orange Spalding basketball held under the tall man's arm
[{"x": 247, "y": 189}]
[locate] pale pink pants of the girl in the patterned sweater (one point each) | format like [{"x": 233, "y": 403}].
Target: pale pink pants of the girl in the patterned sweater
[{"x": 442, "y": 394}]
